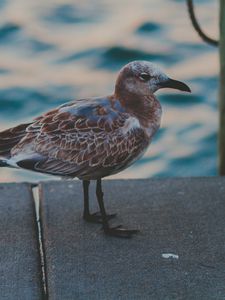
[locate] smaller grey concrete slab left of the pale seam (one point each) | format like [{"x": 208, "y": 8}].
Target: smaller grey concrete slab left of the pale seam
[{"x": 19, "y": 255}]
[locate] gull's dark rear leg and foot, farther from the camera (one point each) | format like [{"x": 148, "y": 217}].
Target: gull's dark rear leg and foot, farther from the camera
[{"x": 95, "y": 217}]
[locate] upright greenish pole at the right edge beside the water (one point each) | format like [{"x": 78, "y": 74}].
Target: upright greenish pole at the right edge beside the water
[{"x": 222, "y": 91}]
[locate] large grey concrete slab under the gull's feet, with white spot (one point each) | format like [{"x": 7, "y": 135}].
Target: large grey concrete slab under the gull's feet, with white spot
[{"x": 183, "y": 217}]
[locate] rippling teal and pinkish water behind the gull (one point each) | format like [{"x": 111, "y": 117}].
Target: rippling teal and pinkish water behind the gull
[{"x": 55, "y": 51}]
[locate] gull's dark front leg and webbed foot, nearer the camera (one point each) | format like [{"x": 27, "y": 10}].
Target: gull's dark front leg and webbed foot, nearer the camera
[{"x": 114, "y": 231}]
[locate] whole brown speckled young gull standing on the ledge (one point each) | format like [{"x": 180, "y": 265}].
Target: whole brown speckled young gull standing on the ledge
[{"x": 92, "y": 138}]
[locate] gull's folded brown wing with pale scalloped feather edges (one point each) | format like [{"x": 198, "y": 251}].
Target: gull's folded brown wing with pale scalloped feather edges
[{"x": 78, "y": 138}]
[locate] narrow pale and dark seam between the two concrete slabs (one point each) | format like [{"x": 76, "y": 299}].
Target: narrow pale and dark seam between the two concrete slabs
[{"x": 36, "y": 198}]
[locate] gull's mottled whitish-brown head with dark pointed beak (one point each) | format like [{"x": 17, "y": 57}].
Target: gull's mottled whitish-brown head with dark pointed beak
[{"x": 145, "y": 78}]
